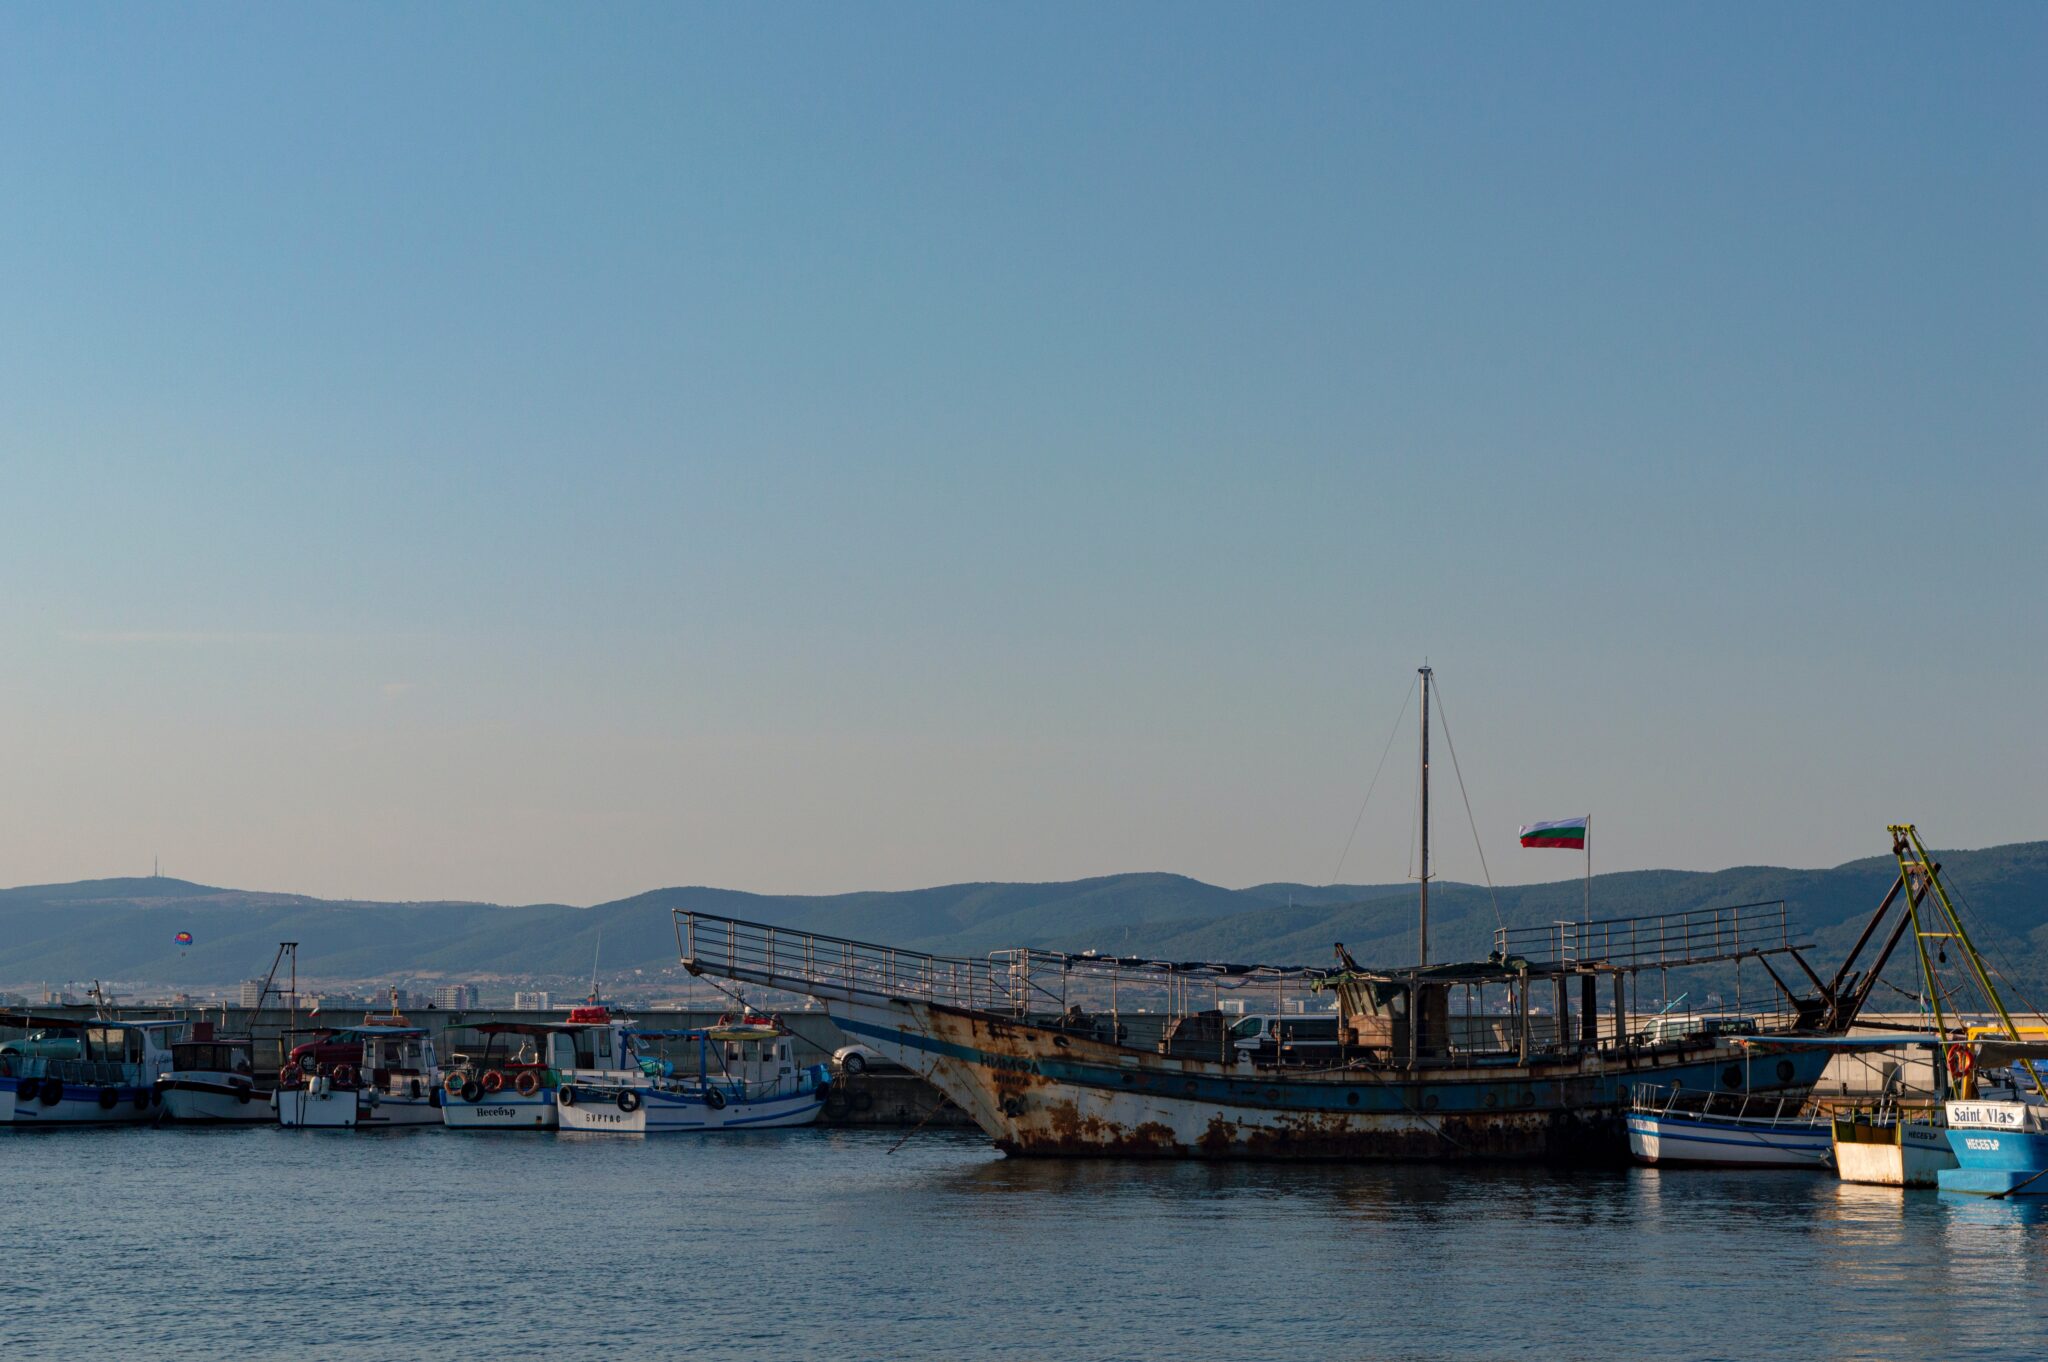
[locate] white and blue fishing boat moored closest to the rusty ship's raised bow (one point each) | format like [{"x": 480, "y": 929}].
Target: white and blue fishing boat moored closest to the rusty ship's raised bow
[{"x": 744, "y": 1078}]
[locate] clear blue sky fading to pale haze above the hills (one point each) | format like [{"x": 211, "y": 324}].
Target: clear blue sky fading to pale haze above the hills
[{"x": 540, "y": 454}]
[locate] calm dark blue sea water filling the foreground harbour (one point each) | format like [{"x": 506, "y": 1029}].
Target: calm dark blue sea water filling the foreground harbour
[{"x": 808, "y": 1244}]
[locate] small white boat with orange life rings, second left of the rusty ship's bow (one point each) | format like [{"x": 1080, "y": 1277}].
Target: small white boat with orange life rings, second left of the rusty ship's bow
[{"x": 513, "y": 1082}]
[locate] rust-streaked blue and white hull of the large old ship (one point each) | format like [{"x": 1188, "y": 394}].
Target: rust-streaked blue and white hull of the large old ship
[{"x": 1046, "y": 1093}]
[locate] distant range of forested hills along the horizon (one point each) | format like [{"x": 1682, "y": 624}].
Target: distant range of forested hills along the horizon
[{"x": 124, "y": 929}]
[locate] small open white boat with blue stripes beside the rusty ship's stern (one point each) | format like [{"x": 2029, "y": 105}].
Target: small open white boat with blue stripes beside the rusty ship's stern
[{"x": 1670, "y": 1125}]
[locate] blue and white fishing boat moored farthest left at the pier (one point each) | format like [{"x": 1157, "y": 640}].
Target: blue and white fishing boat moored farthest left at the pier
[{"x": 67, "y": 1072}]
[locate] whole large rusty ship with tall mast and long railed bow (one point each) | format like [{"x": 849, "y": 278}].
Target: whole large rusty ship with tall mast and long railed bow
[{"x": 1529, "y": 1054}]
